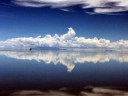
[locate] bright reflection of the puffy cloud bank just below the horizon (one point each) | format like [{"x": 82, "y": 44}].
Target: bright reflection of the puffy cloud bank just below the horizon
[{"x": 67, "y": 57}]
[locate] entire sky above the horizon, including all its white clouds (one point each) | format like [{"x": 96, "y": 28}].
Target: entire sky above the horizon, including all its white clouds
[{"x": 94, "y": 21}]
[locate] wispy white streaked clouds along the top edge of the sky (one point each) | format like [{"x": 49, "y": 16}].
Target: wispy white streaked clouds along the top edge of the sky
[{"x": 99, "y": 6}]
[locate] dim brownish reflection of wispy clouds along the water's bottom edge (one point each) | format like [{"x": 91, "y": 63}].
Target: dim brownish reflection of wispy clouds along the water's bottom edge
[{"x": 94, "y": 92}]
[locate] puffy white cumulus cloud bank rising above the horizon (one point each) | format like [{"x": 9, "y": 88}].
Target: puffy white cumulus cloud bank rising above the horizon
[{"x": 68, "y": 40}]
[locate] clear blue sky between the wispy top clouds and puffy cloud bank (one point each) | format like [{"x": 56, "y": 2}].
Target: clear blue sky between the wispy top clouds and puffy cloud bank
[{"x": 17, "y": 21}]
